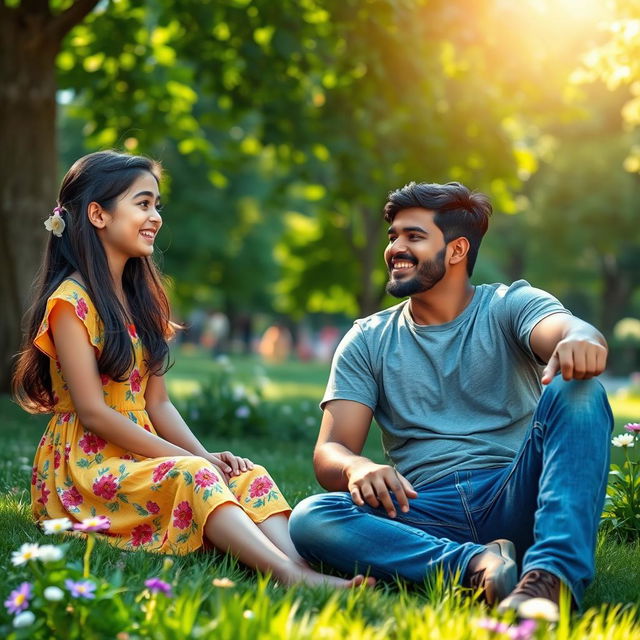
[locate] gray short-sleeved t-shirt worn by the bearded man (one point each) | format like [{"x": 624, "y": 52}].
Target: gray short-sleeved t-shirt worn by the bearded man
[{"x": 447, "y": 397}]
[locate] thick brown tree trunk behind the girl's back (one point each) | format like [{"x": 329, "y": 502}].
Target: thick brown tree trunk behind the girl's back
[{"x": 30, "y": 38}]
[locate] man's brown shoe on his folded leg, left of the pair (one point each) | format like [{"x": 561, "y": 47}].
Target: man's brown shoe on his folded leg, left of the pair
[{"x": 494, "y": 571}]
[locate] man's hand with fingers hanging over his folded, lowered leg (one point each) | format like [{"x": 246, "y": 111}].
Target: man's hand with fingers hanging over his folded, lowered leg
[{"x": 372, "y": 483}]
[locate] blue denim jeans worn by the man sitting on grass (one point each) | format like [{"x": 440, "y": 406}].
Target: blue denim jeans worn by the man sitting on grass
[{"x": 548, "y": 501}]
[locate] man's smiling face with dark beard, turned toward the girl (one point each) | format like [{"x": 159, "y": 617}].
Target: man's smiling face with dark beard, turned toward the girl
[{"x": 415, "y": 255}]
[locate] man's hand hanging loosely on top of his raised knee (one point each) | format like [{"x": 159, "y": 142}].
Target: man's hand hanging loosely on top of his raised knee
[{"x": 578, "y": 358}]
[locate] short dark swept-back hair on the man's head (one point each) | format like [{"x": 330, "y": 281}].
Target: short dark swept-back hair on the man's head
[{"x": 459, "y": 212}]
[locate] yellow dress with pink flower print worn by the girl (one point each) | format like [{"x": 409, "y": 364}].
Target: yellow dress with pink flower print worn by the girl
[{"x": 156, "y": 504}]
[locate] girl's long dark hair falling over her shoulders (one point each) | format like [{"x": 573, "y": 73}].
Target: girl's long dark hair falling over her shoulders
[{"x": 98, "y": 177}]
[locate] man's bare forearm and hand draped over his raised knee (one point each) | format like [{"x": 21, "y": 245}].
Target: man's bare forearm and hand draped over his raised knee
[{"x": 569, "y": 345}]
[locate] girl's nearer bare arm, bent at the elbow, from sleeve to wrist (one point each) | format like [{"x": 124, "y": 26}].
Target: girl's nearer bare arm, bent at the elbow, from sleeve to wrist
[{"x": 79, "y": 367}]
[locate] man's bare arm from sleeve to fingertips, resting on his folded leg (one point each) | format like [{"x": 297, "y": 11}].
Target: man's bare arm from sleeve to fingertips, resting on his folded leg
[{"x": 340, "y": 467}]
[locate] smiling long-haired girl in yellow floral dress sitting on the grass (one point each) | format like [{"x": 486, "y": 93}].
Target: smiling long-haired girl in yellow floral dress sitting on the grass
[{"x": 95, "y": 355}]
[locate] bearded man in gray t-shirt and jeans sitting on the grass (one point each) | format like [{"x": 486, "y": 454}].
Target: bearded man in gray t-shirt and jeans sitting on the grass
[{"x": 479, "y": 458}]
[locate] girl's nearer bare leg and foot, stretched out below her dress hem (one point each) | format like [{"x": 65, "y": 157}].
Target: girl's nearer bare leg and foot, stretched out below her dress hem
[{"x": 229, "y": 528}]
